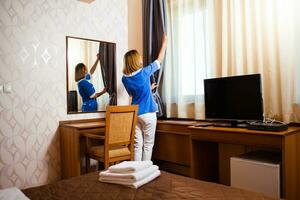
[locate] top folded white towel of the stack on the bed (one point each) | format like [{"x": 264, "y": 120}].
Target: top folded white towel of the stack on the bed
[{"x": 129, "y": 166}]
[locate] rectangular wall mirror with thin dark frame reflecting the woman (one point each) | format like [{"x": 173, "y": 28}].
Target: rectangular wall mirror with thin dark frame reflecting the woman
[{"x": 91, "y": 75}]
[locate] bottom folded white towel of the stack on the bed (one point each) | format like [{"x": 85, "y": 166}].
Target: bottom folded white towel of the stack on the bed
[{"x": 130, "y": 177}]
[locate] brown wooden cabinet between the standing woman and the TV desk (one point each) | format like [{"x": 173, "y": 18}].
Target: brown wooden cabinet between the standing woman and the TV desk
[{"x": 172, "y": 146}]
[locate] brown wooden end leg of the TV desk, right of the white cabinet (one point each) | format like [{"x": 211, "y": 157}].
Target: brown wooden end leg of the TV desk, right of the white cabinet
[{"x": 290, "y": 166}]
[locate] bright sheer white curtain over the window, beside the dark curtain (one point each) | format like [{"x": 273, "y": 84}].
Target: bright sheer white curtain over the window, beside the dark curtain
[{"x": 187, "y": 58}]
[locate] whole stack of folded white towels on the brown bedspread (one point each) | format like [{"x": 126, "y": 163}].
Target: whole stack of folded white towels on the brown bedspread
[{"x": 130, "y": 173}]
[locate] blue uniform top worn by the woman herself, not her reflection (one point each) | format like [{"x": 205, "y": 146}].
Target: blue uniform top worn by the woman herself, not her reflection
[{"x": 138, "y": 86}]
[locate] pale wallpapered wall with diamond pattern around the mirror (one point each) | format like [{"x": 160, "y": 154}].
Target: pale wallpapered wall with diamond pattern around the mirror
[{"x": 32, "y": 60}]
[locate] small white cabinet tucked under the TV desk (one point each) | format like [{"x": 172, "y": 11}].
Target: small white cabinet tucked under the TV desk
[{"x": 257, "y": 171}]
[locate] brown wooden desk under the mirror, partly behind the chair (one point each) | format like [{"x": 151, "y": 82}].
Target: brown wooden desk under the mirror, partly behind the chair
[{"x": 72, "y": 152}]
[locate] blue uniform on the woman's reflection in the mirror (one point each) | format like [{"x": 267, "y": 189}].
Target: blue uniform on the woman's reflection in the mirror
[{"x": 86, "y": 90}]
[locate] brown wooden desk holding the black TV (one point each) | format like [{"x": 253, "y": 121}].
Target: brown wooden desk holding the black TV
[{"x": 205, "y": 152}]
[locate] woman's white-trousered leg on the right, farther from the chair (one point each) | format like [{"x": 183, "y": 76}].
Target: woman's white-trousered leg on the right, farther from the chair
[{"x": 149, "y": 128}]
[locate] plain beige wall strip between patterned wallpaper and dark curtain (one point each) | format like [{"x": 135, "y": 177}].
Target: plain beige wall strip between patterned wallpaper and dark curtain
[{"x": 135, "y": 29}]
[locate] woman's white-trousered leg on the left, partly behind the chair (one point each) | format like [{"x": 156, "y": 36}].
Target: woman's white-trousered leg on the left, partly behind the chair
[{"x": 138, "y": 141}]
